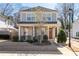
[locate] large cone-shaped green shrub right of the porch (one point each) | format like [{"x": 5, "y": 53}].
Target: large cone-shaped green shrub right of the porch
[{"x": 61, "y": 37}]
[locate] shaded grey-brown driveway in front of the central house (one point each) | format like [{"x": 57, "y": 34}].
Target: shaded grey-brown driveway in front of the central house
[{"x": 6, "y": 45}]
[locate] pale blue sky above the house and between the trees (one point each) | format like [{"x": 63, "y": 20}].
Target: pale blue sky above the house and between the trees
[{"x": 17, "y": 6}]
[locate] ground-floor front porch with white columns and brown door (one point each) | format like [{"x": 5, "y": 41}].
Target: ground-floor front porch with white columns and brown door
[{"x": 50, "y": 31}]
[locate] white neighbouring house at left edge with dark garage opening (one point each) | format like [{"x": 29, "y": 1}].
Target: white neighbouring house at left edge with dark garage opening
[{"x": 6, "y": 27}]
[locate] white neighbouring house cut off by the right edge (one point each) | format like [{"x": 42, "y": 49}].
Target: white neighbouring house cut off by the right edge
[{"x": 75, "y": 29}]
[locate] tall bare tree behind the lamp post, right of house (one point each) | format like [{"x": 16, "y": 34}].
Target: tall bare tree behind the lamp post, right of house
[{"x": 64, "y": 18}]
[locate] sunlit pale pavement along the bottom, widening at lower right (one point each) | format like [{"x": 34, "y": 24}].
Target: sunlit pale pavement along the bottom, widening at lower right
[{"x": 63, "y": 50}]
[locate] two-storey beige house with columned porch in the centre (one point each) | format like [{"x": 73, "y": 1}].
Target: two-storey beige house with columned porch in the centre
[{"x": 34, "y": 20}]
